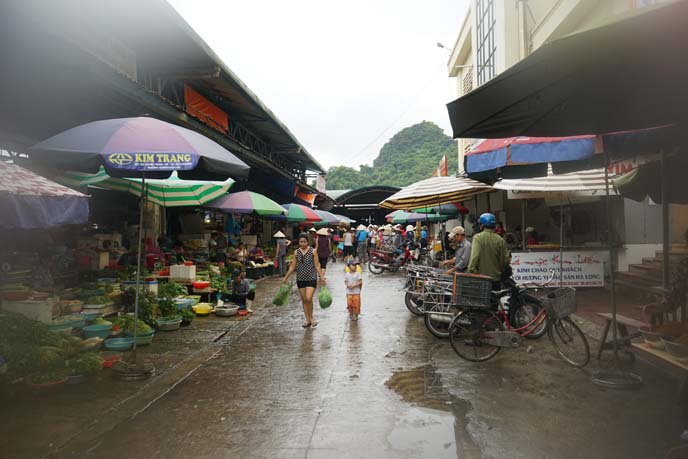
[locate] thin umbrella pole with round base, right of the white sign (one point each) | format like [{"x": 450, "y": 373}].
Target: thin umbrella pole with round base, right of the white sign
[{"x": 615, "y": 378}]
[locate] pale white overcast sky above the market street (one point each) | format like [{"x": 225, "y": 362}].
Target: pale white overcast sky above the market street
[{"x": 343, "y": 76}]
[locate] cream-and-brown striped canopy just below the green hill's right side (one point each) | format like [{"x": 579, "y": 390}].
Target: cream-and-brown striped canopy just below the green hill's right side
[{"x": 435, "y": 191}]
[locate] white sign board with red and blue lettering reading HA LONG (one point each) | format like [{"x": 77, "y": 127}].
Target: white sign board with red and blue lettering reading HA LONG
[{"x": 581, "y": 269}]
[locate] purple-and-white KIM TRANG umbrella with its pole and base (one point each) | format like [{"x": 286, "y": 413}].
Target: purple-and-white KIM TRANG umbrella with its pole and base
[{"x": 138, "y": 147}]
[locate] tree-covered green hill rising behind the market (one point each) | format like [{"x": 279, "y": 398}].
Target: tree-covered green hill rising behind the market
[{"x": 412, "y": 154}]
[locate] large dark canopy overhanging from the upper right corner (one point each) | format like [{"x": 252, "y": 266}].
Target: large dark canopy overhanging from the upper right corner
[{"x": 624, "y": 75}]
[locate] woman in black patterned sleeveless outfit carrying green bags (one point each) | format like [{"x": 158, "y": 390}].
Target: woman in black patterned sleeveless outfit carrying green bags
[{"x": 307, "y": 267}]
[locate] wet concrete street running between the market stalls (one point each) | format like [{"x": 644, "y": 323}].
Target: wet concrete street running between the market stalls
[{"x": 381, "y": 387}]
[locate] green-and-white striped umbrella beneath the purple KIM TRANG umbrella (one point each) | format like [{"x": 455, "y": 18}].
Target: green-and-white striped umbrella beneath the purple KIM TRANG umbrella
[{"x": 170, "y": 192}]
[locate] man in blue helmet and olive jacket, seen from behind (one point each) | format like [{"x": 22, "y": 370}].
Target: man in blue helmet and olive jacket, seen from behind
[{"x": 489, "y": 255}]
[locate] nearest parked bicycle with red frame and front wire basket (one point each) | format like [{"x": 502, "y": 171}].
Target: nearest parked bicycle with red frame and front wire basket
[{"x": 477, "y": 333}]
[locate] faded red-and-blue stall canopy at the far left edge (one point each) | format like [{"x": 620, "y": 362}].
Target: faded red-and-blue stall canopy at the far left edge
[{"x": 29, "y": 201}]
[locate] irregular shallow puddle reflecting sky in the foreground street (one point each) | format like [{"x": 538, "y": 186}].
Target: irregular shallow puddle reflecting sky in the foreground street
[{"x": 436, "y": 425}]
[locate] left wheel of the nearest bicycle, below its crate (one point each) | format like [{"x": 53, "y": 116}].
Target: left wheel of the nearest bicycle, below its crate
[{"x": 467, "y": 335}]
